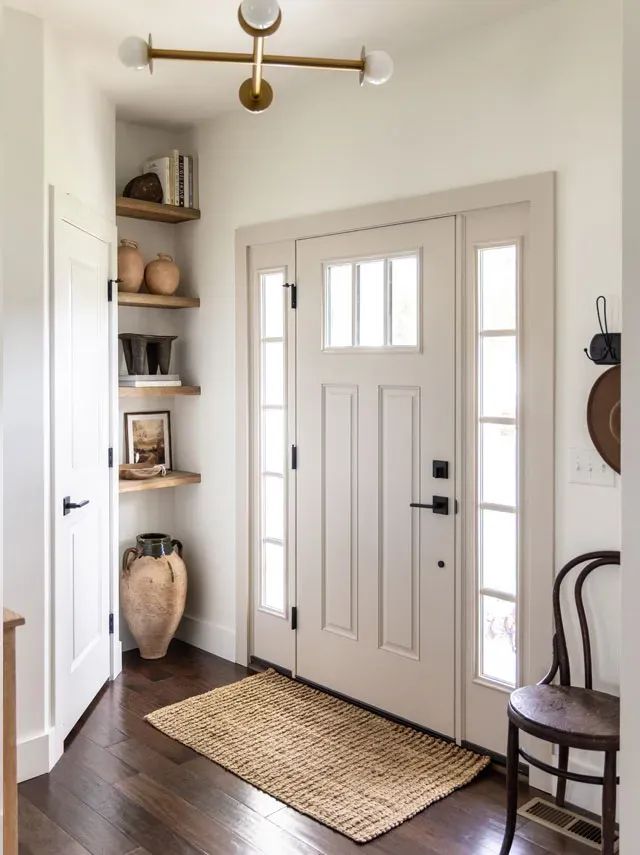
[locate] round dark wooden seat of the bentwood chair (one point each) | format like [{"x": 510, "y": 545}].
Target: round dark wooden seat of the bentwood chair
[{"x": 568, "y": 715}]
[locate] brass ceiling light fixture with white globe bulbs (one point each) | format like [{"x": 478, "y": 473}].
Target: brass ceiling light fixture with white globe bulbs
[{"x": 259, "y": 19}]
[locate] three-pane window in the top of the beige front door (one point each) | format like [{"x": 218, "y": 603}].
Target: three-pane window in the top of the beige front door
[{"x": 372, "y": 303}]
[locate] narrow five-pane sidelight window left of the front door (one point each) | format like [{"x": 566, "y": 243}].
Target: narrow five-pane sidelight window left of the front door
[{"x": 272, "y": 452}]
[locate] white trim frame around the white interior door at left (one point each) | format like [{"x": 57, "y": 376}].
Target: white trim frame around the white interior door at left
[{"x": 65, "y": 208}]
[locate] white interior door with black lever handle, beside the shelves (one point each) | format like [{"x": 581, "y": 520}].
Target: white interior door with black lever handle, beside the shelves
[{"x": 81, "y": 406}]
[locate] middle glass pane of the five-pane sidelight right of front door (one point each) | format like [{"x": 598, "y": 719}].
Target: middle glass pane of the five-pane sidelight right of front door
[{"x": 498, "y": 464}]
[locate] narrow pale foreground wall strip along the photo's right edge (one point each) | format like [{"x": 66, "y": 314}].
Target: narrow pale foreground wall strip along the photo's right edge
[{"x": 630, "y": 756}]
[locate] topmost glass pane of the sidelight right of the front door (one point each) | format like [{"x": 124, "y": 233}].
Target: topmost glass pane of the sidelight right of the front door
[{"x": 497, "y": 275}]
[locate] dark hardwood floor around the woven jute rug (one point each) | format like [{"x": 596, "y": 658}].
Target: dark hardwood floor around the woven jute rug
[{"x": 123, "y": 787}]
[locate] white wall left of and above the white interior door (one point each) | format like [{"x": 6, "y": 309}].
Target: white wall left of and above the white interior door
[{"x": 60, "y": 132}]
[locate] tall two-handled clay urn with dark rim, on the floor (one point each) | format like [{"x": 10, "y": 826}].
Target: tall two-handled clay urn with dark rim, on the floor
[{"x": 153, "y": 590}]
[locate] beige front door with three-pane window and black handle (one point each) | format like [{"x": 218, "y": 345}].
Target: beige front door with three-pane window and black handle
[{"x": 375, "y": 409}]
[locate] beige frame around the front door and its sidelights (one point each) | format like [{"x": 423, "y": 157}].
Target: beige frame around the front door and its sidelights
[{"x": 538, "y": 191}]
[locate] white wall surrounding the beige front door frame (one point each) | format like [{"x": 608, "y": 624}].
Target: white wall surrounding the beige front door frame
[{"x": 531, "y": 93}]
